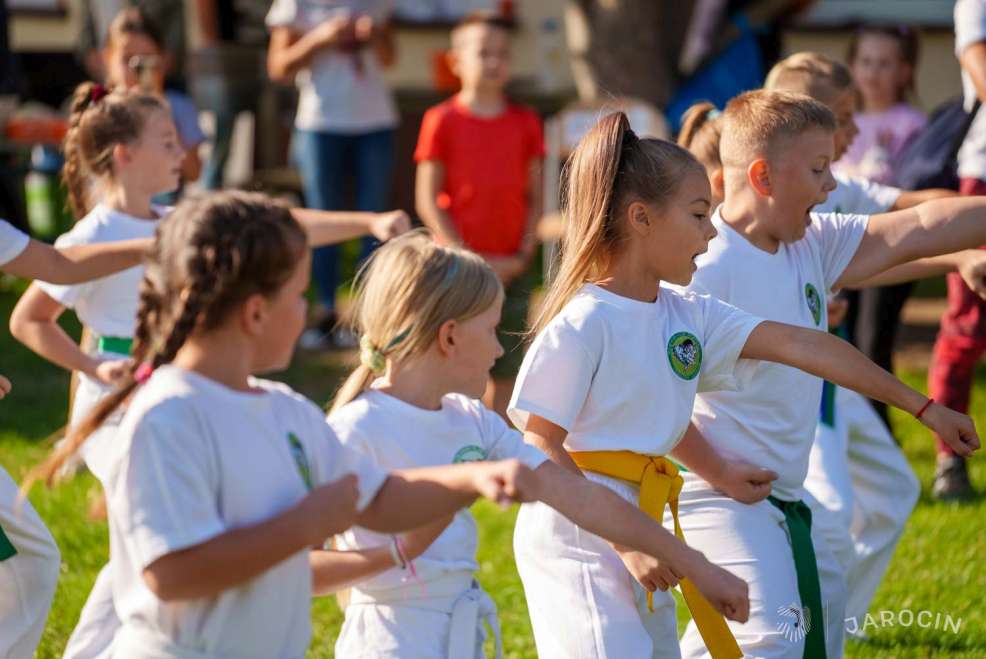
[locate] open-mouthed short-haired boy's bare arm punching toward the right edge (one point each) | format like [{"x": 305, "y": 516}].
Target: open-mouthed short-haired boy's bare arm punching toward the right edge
[{"x": 937, "y": 227}]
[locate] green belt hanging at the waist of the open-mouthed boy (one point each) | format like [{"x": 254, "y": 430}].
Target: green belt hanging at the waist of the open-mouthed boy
[{"x": 798, "y": 518}]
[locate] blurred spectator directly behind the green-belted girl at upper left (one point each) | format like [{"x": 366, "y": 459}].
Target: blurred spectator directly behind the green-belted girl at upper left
[{"x": 133, "y": 56}]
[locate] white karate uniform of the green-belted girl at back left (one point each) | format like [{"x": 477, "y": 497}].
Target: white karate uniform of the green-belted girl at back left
[{"x": 108, "y": 307}]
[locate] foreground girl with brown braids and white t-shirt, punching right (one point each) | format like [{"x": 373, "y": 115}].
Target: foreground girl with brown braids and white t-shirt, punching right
[{"x": 219, "y": 484}]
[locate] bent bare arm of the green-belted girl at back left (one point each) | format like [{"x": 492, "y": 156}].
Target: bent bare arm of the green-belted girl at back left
[{"x": 34, "y": 323}]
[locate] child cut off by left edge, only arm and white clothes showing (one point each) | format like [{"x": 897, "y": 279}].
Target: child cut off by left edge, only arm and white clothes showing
[{"x": 29, "y": 557}]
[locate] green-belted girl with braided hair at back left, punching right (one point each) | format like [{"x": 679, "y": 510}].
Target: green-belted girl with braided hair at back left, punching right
[{"x": 121, "y": 150}]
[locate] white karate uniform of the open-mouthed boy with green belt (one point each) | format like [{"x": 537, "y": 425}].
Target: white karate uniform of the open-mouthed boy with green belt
[{"x": 770, "y": 423}]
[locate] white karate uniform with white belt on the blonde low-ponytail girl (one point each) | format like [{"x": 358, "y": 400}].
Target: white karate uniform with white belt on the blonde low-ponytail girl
[{"x": 441, "y": 613}]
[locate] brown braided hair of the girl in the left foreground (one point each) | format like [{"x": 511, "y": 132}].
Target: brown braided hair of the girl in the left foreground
[{"x": 211, "y": 254}]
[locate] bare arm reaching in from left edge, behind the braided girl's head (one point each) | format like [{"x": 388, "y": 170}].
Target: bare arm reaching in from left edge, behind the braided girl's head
[{"x": 79, "y": 263}]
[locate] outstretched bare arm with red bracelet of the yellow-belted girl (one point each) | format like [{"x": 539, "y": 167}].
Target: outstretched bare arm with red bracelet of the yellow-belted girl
[{"x": 837, "y": 361}]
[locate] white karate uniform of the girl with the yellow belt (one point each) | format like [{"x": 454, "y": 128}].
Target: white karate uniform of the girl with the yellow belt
[{"x": 616, "y": 374}]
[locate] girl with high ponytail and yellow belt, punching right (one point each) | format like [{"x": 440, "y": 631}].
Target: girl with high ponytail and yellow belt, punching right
[{"x": 609, "y": 382}]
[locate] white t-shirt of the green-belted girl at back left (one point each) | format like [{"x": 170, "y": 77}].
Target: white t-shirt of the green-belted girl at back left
[{"x": 108, "y": 306}]
